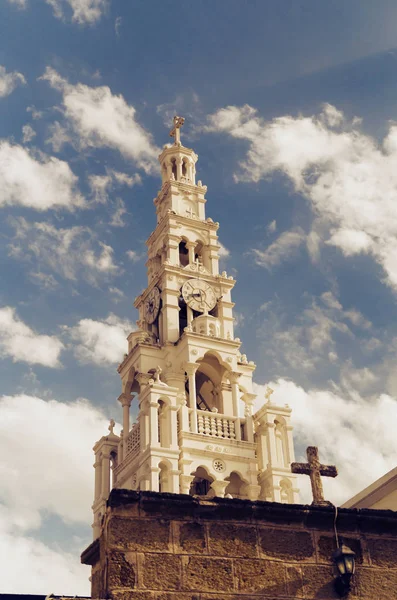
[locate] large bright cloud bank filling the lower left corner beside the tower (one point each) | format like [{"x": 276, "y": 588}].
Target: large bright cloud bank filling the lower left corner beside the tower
[{"x": 45, "y": 469}]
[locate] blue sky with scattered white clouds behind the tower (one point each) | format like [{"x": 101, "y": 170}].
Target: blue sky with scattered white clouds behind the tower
[{"x": 291, "y": 107}]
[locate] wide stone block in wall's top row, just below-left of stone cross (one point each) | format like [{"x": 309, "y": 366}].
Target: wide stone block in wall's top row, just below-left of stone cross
[{"x": 283, "y": 544}]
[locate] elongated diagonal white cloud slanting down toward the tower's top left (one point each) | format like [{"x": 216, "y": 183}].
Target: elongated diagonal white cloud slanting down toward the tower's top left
[{"x": 101, "y": 119}]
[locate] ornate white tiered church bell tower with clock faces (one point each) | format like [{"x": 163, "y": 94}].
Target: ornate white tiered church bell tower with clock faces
[{"x": 195, "y": 432}]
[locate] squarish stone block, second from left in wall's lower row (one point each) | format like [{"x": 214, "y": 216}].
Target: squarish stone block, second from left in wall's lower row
[{"x": 162, "y": 572}]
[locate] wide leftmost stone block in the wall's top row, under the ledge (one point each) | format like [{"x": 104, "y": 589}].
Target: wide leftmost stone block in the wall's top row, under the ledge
[{"x": 140, "y": 535}]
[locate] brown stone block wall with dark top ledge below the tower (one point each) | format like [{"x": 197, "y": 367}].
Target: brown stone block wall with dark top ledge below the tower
[{"x": 175, "y": 547}]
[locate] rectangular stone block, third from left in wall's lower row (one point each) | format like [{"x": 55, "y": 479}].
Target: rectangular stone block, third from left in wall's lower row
[{"x": 208, "y": 574}]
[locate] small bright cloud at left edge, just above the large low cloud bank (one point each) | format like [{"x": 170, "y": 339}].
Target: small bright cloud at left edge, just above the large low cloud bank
[{"x": 19, "y": 342}]
